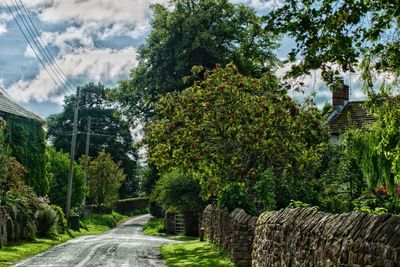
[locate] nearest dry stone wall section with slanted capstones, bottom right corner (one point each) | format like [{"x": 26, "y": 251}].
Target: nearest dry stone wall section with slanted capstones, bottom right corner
[{"x": 307, "y": 237}]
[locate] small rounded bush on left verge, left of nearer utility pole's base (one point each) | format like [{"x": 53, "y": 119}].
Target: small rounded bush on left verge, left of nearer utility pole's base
[{"x": 46, "y": 221}]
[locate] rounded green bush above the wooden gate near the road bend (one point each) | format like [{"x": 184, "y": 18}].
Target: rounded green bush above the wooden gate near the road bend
[{"x": 178, "y": 191}]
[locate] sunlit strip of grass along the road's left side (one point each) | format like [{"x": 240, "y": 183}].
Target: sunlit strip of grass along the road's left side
[{"x": 94, "y": 224}]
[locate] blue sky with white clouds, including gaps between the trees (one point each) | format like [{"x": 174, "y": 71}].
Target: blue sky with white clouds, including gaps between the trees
[{"x": 89, "y": 40}]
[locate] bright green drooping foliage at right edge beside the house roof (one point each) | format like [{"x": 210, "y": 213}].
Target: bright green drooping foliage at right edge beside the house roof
[{"x": 376, "y": 149}]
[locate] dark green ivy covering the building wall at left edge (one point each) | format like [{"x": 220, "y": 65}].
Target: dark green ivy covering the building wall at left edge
[{"x": 26, "y": 138}]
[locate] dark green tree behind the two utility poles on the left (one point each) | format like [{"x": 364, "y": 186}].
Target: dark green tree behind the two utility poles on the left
[{"x": 109, "y": 131}]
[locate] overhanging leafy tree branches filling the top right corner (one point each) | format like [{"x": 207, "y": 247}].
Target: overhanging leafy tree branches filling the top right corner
[{"x": 341, "y": 33}]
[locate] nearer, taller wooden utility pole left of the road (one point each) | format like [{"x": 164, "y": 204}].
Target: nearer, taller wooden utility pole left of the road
[{"x": 72, "y": 155}]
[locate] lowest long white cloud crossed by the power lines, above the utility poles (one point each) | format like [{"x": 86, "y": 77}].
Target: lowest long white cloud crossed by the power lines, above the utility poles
[{"x": 98, "y": 65}]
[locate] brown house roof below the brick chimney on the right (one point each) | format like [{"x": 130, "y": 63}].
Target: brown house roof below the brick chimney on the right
[{"x": 353, "y": 113}]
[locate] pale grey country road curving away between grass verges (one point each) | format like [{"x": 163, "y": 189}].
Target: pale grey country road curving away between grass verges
[{"x": 125, "y": 245}]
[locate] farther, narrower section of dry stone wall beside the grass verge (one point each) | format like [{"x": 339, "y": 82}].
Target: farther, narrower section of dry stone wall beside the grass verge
[{"x": 233, "y": 232}]
